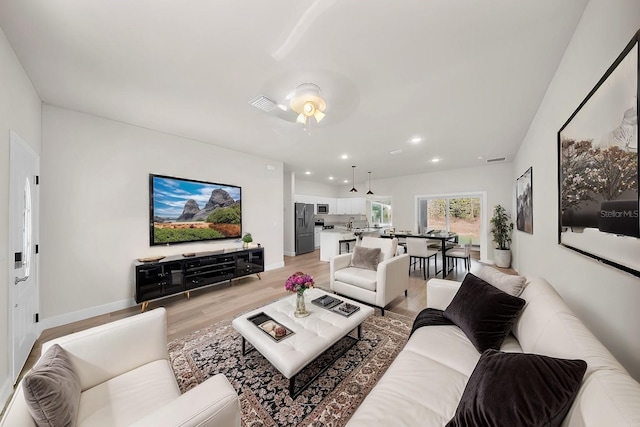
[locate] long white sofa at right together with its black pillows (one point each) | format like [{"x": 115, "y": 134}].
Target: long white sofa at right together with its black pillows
[{"x": 440, "y": 377}]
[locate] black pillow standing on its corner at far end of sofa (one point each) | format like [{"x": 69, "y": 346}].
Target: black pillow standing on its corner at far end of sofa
[{"x": 483, "y": 312}]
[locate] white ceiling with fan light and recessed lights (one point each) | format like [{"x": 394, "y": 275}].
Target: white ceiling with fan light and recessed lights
[{"x": 466, "y": 76}]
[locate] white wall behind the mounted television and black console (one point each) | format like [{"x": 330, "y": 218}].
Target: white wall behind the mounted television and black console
[{"x": 95, "y": 204}]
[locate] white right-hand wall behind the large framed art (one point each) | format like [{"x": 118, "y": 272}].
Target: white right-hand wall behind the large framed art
[{"x": 606, "y": 299}]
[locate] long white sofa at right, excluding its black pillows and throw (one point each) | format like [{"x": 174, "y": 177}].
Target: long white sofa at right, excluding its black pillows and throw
[{"x": 424, "y": 384}]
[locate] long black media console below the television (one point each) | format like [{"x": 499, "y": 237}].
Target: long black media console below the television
[{"x": 176, "y": 274}]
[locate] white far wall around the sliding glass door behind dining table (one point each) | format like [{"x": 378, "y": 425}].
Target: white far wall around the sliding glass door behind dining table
[{"x": 493, "y": 179}]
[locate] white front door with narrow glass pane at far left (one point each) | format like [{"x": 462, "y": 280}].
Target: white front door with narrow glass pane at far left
[{"x": 23, "y": 271}]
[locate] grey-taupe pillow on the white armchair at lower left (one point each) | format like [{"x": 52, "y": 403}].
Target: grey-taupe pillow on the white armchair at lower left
[{"x": 52, "y": 389}]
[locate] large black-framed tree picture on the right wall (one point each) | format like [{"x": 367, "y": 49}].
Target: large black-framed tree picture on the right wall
[{"x": 598, "y": 169}]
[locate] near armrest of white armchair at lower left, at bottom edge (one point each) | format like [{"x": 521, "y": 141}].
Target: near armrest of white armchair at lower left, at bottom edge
[{"x": 214, "y": 403}]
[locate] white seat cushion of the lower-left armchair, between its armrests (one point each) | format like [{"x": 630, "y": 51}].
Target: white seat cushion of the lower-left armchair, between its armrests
[{"x": 123, "y": 400}]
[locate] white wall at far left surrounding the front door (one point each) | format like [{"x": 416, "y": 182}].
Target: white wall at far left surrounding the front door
[{"x": 19, "y": 111}]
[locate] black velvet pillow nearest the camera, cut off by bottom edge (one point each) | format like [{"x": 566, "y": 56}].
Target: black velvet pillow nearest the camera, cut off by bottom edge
[{"x": 519, "y": 389}]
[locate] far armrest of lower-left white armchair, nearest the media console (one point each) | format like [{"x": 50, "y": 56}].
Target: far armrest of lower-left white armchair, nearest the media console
[{"x": 107, "y": 351}]
